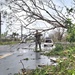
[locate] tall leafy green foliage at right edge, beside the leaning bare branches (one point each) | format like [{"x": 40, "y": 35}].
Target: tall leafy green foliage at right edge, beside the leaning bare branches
[{"x": 71, "y": 30}]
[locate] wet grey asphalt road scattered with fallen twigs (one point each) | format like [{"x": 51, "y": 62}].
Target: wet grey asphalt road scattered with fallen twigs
[{"x": 11, "y": 64}]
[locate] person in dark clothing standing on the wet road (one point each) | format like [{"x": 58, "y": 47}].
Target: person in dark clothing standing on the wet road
[{"x": 38, "y": 40}]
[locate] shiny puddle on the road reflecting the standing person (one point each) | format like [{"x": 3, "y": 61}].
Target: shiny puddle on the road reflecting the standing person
[{"x": 32, "y": 59}]
